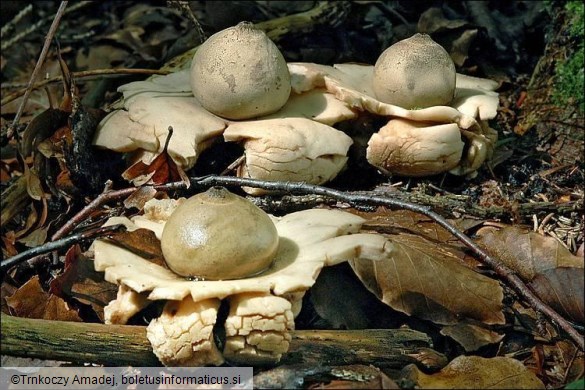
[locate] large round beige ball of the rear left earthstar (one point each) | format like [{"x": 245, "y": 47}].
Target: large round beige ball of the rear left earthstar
[{"x": 239, "y": 73}]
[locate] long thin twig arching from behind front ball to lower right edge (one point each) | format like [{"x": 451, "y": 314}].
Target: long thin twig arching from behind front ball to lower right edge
[{"x": 501, "y": 270}]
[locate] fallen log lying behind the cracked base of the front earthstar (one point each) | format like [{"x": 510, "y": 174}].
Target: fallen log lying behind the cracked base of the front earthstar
[{"x": 125, "y": 345}]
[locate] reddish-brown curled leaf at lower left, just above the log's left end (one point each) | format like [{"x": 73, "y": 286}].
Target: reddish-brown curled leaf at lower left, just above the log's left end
[{"x": 31, "y": 301}]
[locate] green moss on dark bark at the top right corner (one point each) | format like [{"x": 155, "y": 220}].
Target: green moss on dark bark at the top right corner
[{"x": 569, "y": 74}]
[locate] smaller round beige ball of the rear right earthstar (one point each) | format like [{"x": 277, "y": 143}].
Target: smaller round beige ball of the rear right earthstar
[{"x": 415, "y": 72}]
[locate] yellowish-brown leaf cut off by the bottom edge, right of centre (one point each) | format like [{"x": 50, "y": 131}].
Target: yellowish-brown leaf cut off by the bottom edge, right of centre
[{"x": 474, "y": 372}]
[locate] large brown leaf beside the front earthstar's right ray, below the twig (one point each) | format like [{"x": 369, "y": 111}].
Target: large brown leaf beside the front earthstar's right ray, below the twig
[{"x": 426, "y": 280}]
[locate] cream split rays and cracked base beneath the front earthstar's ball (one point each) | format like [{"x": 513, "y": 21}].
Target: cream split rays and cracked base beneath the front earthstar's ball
[{"x": 261, "y": 306}]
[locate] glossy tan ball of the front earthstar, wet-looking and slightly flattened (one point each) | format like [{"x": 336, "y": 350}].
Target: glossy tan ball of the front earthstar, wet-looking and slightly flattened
[{"x": 218, "y": 235}]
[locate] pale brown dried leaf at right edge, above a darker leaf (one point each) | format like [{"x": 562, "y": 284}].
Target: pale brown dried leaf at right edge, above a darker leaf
[{"x": 527, "y": 253}]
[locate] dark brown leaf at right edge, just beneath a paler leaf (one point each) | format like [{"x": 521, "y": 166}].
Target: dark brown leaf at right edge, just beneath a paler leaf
[{"x": 562, "y": 288}]
